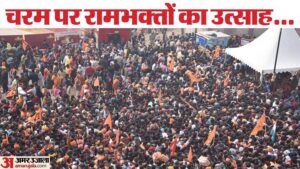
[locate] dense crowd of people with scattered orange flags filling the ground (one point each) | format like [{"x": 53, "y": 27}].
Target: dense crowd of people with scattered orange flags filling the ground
[{"x": 145, "y": 105}]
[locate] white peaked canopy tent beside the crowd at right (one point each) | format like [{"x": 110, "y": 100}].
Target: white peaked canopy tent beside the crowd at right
[{"x": 260, "y": 54}]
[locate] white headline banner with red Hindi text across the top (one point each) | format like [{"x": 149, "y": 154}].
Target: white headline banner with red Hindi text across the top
[{"x": 142, "y": 14}]
